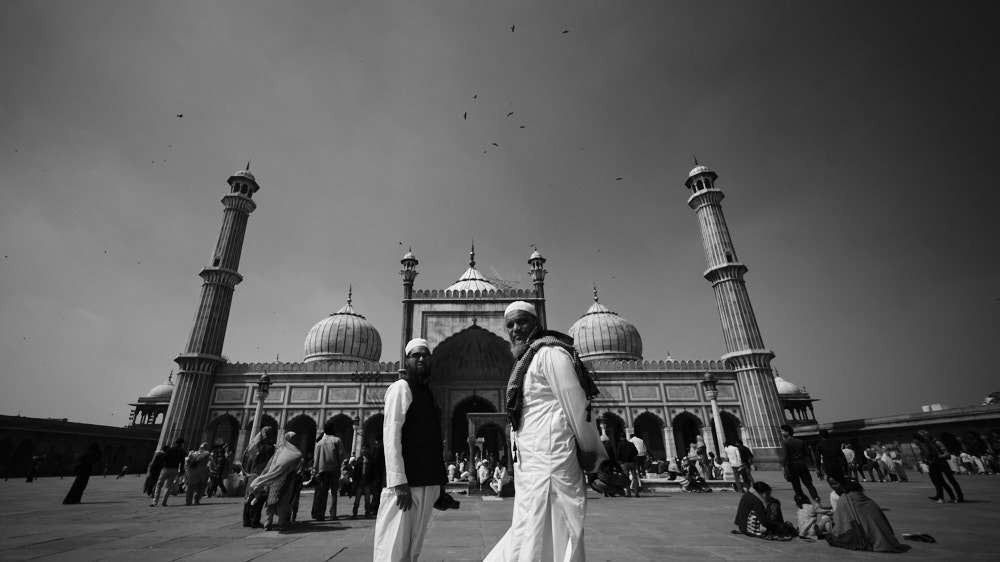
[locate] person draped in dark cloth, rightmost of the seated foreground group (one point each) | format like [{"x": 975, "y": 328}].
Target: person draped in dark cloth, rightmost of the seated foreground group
[{"x": 860, "y": 524}]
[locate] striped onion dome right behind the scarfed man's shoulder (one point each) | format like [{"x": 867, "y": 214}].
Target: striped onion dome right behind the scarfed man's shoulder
[{"x": 603, "y": 334}]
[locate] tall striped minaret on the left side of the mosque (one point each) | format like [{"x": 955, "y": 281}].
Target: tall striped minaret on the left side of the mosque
[{"x": 188, "y": 410}]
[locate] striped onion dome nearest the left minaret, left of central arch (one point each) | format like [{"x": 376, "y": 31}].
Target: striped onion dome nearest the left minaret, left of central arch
[{"x": 343, "y": 336}]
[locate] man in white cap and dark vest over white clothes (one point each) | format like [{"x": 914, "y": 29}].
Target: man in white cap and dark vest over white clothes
[{"x": 414, "y": 460}]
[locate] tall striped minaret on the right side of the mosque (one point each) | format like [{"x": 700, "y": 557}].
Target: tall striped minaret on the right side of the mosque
[{"x": 744, "y": 346}]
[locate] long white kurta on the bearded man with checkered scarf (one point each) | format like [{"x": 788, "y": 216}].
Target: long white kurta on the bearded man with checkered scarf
[{"x": 551, "y": 492}]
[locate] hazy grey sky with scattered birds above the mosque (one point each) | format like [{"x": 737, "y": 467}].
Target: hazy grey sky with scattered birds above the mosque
[{"x": 853, "y": 141}]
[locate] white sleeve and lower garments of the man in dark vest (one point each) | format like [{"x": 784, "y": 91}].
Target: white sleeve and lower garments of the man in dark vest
[{"x": 399, "y": 535}]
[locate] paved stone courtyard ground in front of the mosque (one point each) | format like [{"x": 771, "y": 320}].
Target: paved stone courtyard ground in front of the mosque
[{"x": 115, "y": 522}]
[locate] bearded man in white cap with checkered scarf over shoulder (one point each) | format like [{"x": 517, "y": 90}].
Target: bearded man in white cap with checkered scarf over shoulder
[{"x": 554, "y": 443}]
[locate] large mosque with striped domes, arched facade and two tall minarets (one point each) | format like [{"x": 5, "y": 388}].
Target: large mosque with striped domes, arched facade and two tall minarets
[{"x": 342, "y": 377}]
